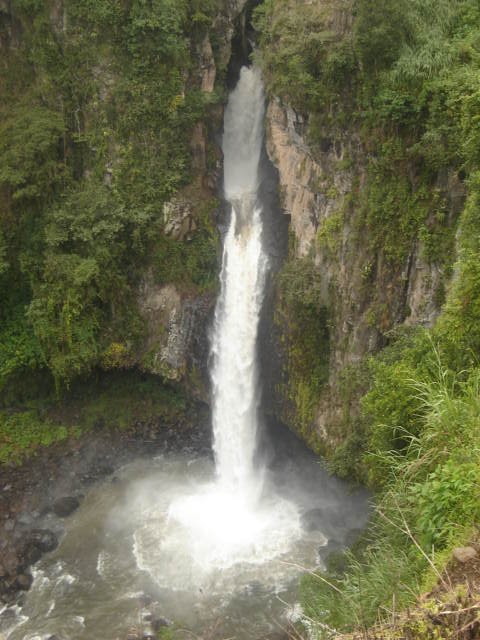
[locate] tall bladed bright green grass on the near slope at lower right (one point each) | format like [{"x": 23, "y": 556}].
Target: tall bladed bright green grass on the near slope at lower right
[{"x": 430, "y": 498}]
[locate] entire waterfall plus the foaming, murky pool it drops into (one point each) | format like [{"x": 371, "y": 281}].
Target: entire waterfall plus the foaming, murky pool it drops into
[{"x": 201, "y": 544}]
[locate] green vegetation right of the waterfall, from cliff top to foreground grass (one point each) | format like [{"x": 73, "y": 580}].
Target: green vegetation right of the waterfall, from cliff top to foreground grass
[{"x": 404, "y": 78}]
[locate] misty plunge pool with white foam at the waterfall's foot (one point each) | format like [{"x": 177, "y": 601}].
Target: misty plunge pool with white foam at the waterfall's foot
[{"x": 124, "y": 557}]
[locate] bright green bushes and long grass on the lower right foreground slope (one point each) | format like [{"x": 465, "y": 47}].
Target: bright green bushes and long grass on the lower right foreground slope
[{"x": 423, "y": 455}]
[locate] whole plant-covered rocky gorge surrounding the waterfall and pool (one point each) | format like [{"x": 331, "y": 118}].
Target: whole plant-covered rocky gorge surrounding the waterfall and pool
[{"x": 112, "y": 223}]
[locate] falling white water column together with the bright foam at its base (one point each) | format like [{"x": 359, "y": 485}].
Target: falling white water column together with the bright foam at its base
[{"x": 231, "y": 521}]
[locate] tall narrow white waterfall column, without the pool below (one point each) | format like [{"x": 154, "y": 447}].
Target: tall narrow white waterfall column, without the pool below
[{"x": 234, "y": 373}]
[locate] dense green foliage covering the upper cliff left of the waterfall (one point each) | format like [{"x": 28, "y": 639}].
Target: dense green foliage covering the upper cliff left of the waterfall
[{"x": 98, "y": 104}]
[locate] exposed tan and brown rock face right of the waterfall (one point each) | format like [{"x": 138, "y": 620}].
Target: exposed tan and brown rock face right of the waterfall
[{"x": 366, "y": 297}]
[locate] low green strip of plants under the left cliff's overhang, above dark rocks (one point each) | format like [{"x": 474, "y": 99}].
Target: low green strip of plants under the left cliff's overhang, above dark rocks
[{"x": 105, "y": 401}]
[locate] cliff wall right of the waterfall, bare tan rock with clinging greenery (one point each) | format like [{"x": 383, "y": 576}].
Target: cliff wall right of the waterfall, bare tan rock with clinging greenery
[{"x": 373, "y": 223}]
